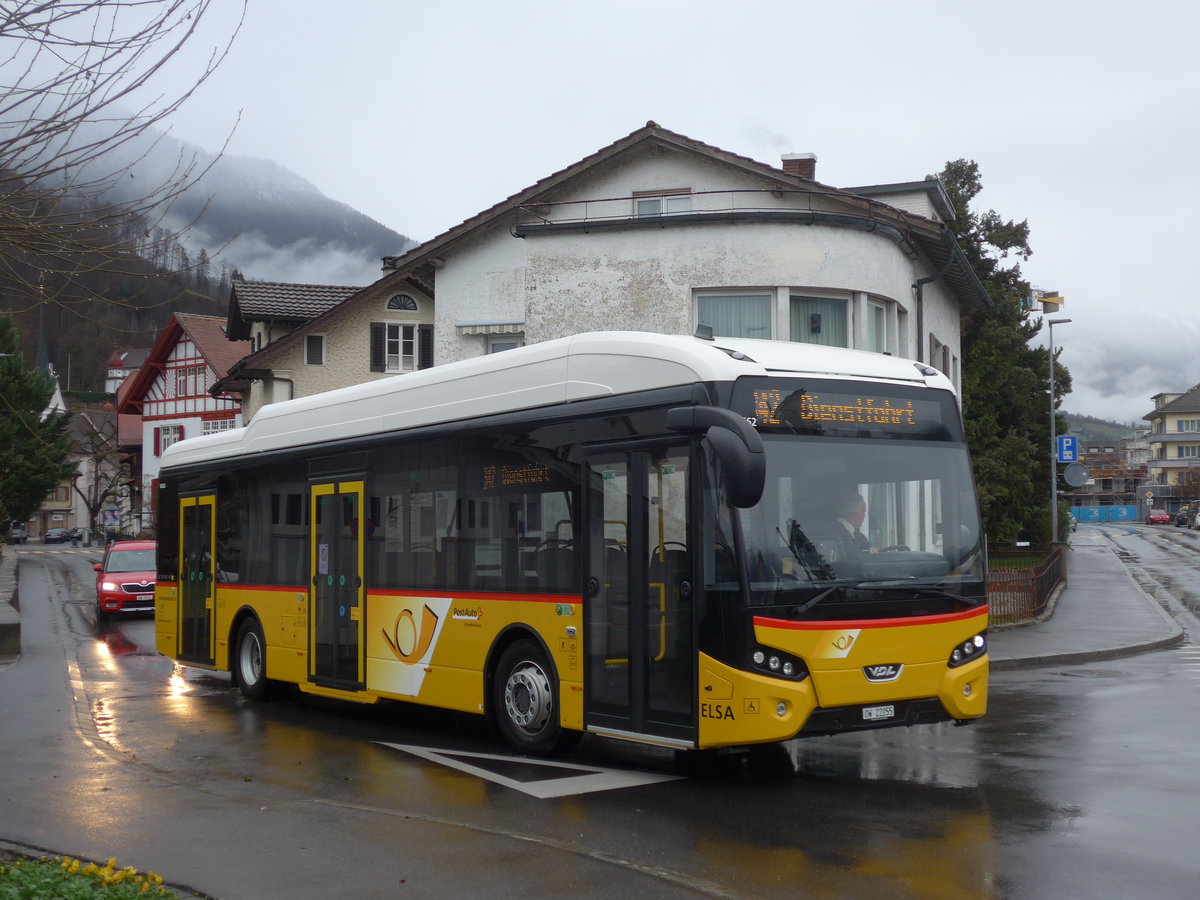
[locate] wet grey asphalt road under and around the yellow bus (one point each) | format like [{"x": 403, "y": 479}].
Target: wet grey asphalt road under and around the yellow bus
[{"x": 1081, "y": 783}]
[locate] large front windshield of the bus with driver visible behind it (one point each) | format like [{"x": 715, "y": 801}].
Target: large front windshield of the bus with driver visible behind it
[{"x": 879, "y": 515}]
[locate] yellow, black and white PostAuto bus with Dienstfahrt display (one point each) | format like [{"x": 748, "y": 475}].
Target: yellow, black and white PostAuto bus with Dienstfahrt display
[{"x": 665, "y": 539}]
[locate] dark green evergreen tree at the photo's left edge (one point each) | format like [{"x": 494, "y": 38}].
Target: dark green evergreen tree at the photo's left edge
[{"x": 34, "y": 452}]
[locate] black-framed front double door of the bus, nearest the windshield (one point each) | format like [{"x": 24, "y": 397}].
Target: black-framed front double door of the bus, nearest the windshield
[{"x": 639, "y": 633}]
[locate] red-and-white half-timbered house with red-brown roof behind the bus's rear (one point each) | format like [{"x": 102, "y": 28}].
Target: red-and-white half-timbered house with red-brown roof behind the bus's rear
[{"x": 171, "y": 394}]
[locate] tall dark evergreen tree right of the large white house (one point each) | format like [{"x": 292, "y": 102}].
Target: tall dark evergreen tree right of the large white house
[{"x": 1005, "y": 380}]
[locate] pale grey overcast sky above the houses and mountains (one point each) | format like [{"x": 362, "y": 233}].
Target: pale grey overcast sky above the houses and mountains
[{"x": 1083, "y": 119}]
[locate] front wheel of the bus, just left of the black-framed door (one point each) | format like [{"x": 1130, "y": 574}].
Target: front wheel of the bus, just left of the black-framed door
[{"x": 526, "y": 700}]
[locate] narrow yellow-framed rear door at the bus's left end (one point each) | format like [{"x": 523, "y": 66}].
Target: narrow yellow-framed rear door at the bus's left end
[{"x": 197, "y": 583}]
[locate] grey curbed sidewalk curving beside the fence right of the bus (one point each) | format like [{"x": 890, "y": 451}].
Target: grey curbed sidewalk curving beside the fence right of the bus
[{"x": 1102, "y": 614}]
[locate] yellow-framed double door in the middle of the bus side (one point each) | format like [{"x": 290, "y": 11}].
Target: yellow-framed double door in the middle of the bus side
[{"x": 337, "y": 595}]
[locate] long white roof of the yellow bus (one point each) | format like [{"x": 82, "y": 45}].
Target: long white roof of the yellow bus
[{"x": 579, "y": 368}]
